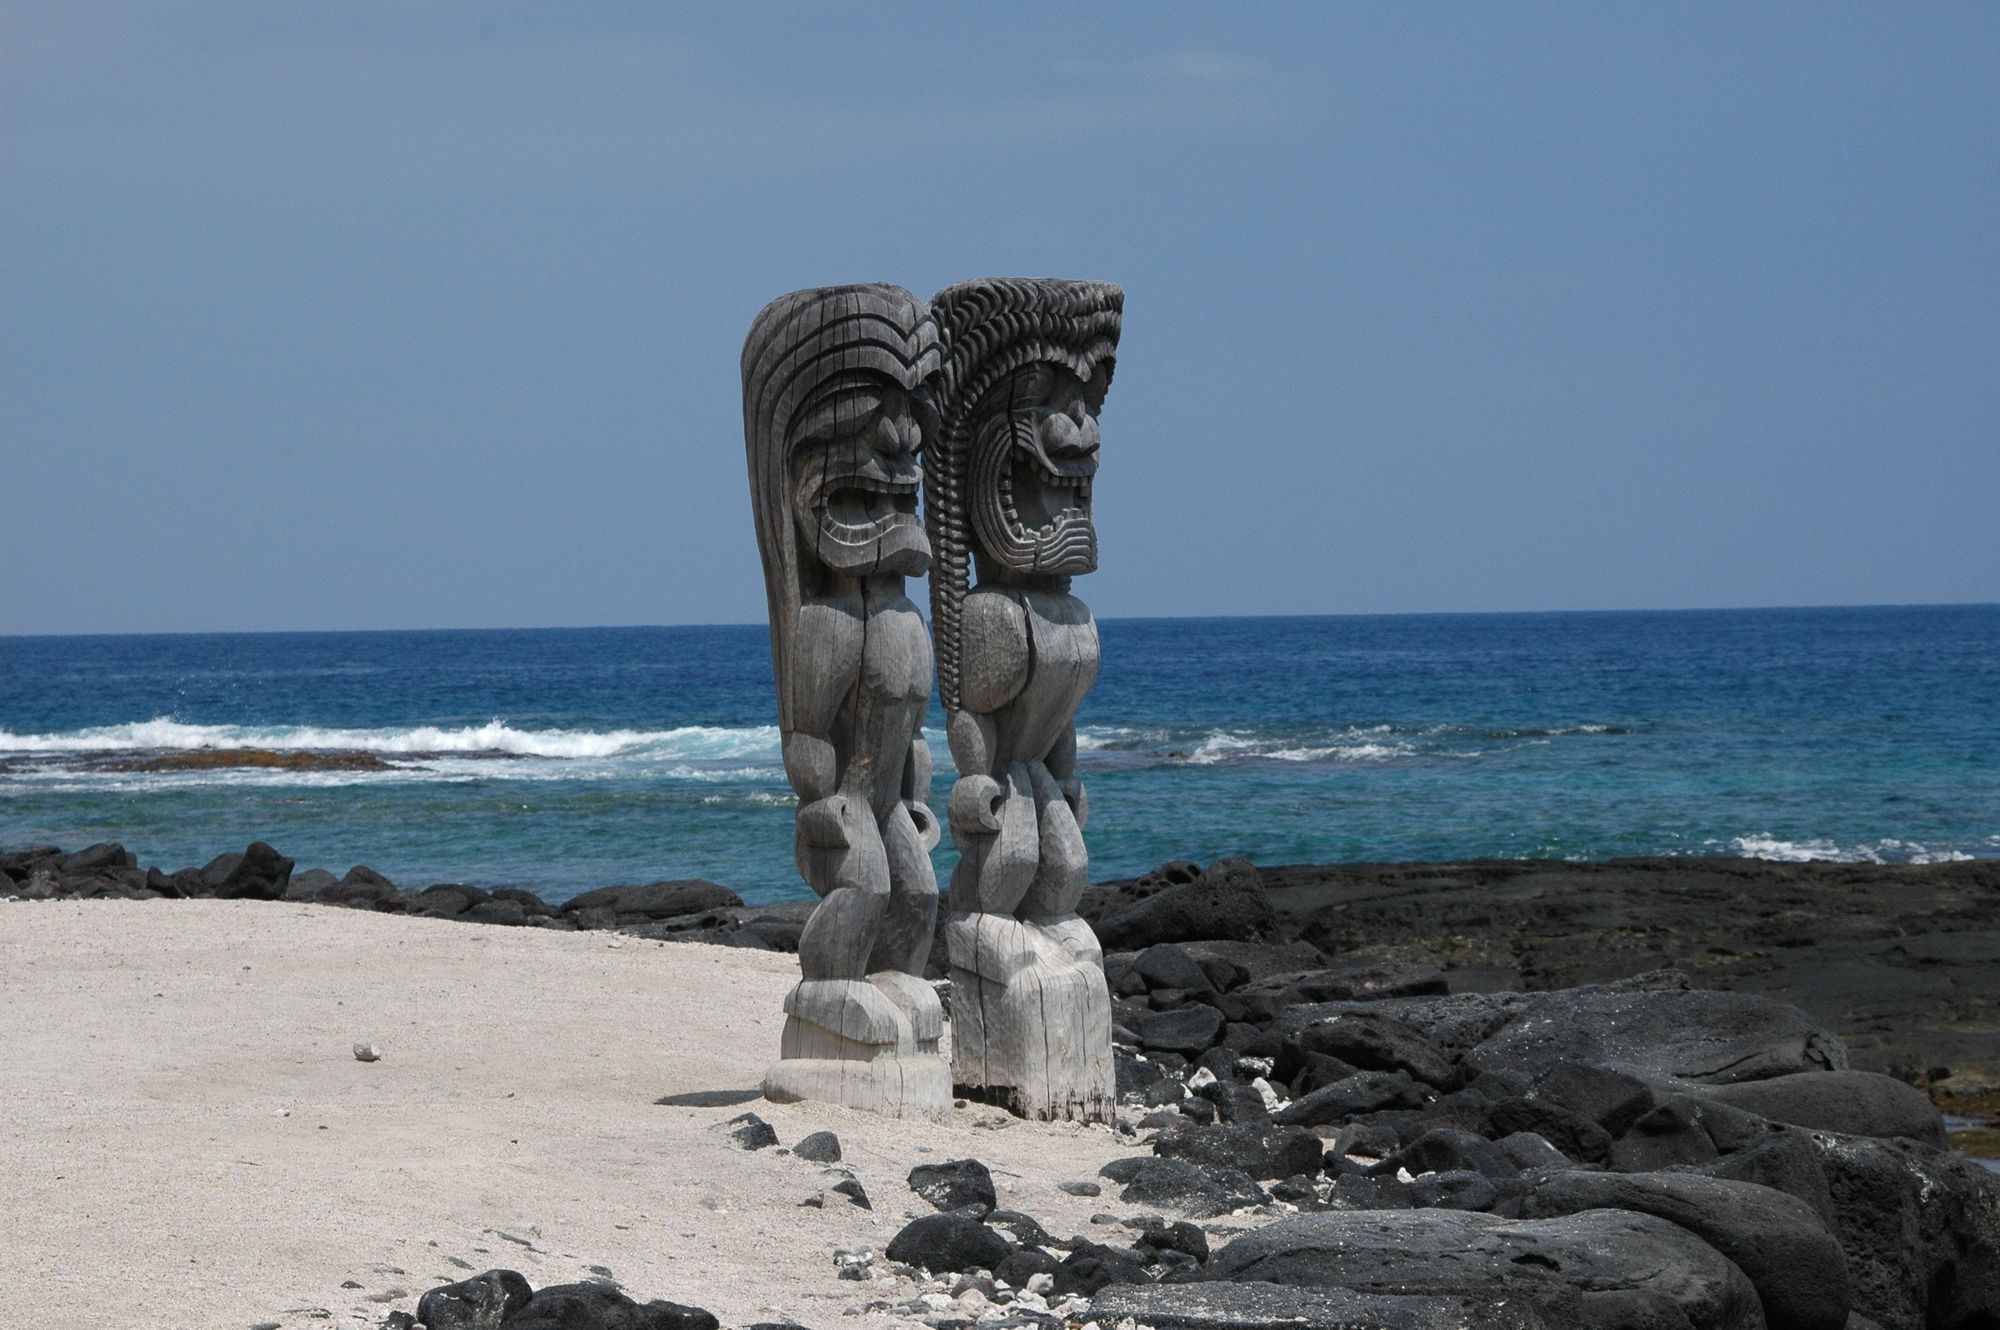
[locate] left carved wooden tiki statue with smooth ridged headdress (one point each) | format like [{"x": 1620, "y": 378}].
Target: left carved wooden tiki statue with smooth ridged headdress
[{"x": 833, "y": 437}]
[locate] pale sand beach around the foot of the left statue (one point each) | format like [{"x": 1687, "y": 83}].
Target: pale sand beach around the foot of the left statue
[{"x": 191, "y": 1141}]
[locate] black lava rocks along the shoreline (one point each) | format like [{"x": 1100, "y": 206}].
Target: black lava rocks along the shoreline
[{"x": 1445, "y": 1095}]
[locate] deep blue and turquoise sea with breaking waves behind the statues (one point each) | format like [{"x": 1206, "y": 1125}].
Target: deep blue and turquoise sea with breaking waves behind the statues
[{"x": 575, "y": 759}]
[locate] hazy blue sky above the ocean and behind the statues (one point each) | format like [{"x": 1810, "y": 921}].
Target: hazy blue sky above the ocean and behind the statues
[{"x": 427, "y": 315}]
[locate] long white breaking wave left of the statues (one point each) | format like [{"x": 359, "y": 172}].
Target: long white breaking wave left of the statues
[{"x": 163, "y": 733}]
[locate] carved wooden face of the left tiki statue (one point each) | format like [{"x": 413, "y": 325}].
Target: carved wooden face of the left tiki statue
[{"x": 855, "y": 469}]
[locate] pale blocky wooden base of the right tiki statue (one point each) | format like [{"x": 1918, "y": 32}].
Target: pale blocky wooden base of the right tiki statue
[{"x": 1031, "y": 1023}]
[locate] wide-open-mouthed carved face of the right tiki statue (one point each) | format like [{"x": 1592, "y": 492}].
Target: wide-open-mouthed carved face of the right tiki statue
[{"x": 1035, "y": 453}]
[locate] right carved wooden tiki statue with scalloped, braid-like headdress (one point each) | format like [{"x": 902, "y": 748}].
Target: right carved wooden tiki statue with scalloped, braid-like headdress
[{"x": 1007, "y": 491}]
